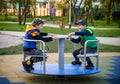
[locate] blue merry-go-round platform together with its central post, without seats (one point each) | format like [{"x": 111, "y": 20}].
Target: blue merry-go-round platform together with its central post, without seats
[{"x": 62, "y": 69}]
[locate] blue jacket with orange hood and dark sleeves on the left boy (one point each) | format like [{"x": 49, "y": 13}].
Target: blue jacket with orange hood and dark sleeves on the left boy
[{"x": 34, "y": 34}]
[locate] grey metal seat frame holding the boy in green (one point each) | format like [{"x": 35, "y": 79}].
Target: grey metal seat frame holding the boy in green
[{"x": 96, "y": 54}]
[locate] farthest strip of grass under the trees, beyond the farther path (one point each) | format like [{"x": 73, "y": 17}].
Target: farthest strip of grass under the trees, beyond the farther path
[{"x": 56, "y": 20}]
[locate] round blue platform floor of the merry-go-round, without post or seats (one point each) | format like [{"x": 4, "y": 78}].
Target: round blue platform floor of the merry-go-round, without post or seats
[{"x": 69, "y": 69}]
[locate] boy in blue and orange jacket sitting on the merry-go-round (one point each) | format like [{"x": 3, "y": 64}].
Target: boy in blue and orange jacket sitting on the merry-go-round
[{"x": 29, "y": 48}]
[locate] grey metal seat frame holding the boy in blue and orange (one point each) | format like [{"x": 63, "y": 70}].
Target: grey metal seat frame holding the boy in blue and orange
[{"x": 42, "y": 47}]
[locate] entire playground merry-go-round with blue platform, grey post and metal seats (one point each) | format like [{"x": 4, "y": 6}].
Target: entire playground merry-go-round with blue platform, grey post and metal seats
[{"x": 62, "y": 69}]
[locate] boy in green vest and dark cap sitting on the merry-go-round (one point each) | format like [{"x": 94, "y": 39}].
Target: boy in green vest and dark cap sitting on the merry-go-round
[{"x": 85, "y": 33}]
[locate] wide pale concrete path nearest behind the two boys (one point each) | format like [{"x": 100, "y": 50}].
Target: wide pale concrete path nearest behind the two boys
[{"x": 11, "y": 38}]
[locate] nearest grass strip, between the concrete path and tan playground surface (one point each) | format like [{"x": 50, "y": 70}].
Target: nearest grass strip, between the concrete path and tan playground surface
[{"x": 53, "y": 48}]
